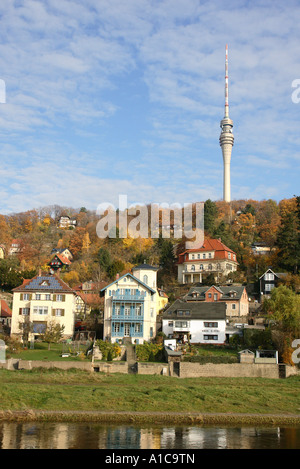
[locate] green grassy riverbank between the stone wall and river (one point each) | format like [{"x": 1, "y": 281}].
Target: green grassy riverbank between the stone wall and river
[{"x": 63, "y": 392}]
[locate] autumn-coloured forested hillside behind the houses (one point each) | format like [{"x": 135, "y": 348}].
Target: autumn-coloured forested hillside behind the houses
[{"x": 239, "y": 225}]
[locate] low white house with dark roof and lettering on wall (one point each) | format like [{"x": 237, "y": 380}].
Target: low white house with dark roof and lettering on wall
[{"x": 196, "y": 322}]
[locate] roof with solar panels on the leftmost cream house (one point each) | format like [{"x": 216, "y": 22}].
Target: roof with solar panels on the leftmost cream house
[{"x": 46, "y": 283}]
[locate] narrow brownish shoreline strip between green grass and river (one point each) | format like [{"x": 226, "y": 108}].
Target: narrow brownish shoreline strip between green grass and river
[{"x": 153, "y": 418}]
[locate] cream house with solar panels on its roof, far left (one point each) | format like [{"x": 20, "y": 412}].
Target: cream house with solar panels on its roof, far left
[{"x": 40, "y": 300}]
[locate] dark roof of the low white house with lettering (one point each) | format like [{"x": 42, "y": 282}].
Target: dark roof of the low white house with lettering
[{"x": 197, "y": 310}]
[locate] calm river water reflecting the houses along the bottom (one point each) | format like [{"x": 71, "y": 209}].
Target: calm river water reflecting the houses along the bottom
[{"x": 98, "y": 436}]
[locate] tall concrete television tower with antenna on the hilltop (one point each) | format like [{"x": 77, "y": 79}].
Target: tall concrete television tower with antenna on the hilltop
[{"x": 226, "y": 138}]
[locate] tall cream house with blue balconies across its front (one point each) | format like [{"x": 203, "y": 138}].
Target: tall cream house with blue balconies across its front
[{"x": 131, "y": 305}]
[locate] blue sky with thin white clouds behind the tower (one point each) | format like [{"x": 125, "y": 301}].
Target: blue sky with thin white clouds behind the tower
[{"x": 110, "y": 97}]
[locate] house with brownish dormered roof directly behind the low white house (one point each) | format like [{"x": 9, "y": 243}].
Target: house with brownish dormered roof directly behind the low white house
[{"x": 235, "y": 298}]
